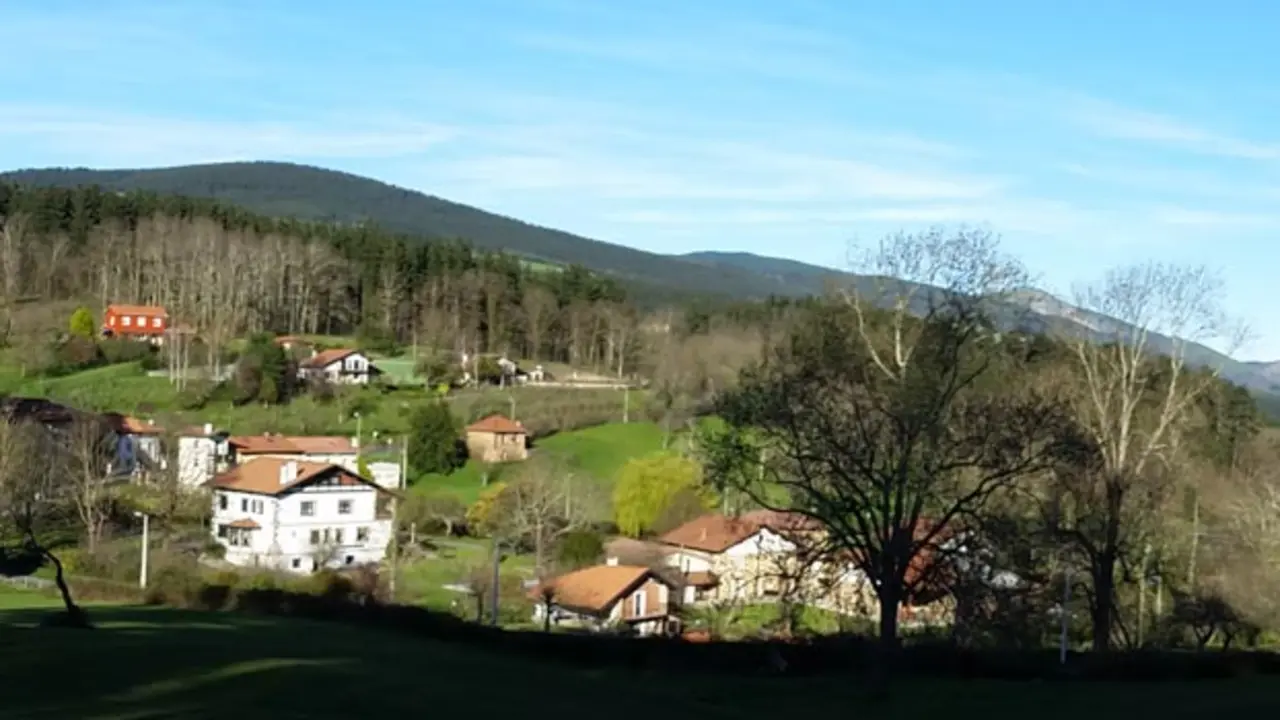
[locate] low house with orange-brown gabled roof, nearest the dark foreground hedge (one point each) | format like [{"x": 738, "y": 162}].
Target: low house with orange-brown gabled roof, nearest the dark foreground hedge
[{"x": 605, "y": 598}]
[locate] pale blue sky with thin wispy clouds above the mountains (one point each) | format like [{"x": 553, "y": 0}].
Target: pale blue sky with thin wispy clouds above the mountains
[{"x": 1098, "y": 135}]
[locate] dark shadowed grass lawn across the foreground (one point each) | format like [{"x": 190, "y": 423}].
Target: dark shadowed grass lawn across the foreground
[{"x": 156, "y": 663}]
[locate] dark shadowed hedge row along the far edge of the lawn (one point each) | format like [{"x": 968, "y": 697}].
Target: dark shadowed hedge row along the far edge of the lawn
[{"x": 339, "y": 599}]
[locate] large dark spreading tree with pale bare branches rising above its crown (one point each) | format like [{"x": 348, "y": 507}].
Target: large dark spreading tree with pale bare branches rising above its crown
[{"x": 892, "y": 427}]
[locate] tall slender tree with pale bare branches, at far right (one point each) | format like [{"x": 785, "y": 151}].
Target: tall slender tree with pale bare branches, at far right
[{"x": 1135, "y": 395}]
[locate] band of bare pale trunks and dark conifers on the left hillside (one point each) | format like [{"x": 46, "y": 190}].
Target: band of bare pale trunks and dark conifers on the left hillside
[{"x": 228, "y": 272}]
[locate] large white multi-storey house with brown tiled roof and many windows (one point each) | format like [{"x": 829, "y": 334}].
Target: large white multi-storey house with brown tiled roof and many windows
[{"x": 299, "y": 516}]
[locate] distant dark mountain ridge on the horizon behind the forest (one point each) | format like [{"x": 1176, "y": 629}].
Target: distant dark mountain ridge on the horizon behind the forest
[{"x": 322, "y": 195}]
